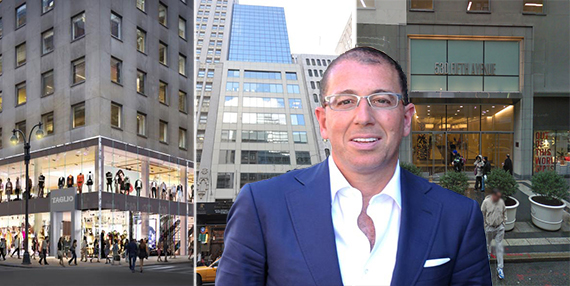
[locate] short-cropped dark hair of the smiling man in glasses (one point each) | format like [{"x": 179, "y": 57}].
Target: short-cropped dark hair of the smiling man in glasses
[{"x": 367, "y": 56}]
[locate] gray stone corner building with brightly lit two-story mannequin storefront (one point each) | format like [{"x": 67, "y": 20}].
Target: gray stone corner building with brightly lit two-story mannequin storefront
[{"x": 110, "y": 82}]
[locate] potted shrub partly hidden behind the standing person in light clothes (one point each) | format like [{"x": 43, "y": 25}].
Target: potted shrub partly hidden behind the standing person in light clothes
[{"x": 506, "y": 183}]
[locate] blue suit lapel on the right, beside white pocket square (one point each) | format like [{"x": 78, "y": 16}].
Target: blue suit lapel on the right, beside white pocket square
[{"x": 419, "y": 221}]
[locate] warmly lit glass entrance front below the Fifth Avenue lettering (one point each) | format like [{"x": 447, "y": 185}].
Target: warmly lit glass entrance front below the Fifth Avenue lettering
[{"x": 469, "y": 129}]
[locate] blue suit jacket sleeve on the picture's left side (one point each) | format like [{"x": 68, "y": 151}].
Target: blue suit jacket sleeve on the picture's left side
[{"x": 243, "y": 261}]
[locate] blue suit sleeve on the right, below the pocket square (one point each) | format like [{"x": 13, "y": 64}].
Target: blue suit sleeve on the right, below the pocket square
[{"x": 472, "y": 265}]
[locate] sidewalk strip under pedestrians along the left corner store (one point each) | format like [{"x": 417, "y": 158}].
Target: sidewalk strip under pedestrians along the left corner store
[{"x": 54, "y": 263}]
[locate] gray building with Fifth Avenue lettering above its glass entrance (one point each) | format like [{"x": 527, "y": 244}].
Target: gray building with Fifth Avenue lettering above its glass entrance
[{"x": 487, "y": 77}]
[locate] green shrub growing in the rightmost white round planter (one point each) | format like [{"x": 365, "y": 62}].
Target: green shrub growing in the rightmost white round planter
[{"x": 551, "y": 187}]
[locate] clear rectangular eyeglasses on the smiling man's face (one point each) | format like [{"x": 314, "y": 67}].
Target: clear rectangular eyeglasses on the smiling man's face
[{"x": 347, "y": 102}]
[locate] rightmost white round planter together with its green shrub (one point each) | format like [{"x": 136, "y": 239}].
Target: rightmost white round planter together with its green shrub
[{"x": 547, "y": 207}]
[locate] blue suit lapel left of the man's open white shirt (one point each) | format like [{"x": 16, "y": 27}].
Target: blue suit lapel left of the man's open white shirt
[{"x": 310, "y": 209}]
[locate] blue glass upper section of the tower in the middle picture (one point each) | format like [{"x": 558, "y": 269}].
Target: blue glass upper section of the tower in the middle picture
[{"x": 259, "y": 34}]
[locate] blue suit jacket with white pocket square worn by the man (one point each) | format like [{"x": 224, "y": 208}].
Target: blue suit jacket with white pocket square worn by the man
[{"x": 280, "y": 232}]
